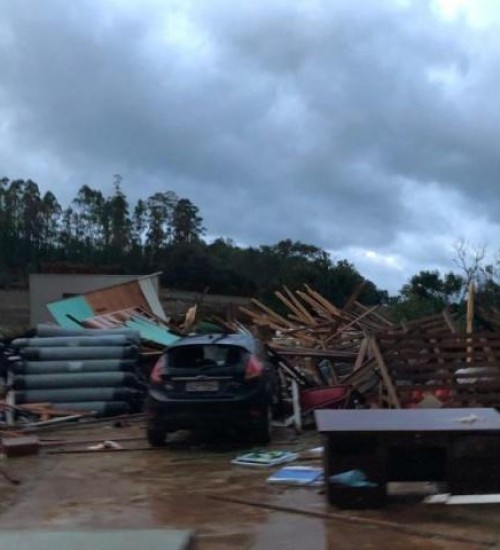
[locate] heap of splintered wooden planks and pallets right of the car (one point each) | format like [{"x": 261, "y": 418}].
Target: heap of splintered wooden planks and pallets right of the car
[{"x": 428, "y": 362}]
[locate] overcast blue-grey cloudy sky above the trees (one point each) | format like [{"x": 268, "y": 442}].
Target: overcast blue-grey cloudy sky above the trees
[{"x": 368, "y": 128}]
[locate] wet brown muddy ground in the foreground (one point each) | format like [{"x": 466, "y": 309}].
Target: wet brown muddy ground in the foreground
[{"x": 71, "y": 486}]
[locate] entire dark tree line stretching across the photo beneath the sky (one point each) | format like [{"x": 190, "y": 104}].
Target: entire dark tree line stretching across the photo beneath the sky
[{"x": 165, "y": 232}]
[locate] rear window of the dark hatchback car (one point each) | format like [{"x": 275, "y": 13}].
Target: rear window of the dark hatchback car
[{"x": 198, "y": 356}]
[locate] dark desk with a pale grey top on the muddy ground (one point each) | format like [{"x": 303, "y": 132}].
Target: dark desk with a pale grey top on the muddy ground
[{"x": 458, "y": 446}]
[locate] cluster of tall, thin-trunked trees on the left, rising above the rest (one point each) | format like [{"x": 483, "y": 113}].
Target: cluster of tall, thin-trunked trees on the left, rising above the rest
[{"x": 96, "y": 229}]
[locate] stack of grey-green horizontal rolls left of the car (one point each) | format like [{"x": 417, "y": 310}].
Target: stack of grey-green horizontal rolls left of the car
[{"x": 81, "y": 369}]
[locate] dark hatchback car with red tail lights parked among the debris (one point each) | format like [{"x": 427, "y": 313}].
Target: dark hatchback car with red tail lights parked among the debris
[{"x": 212, "y": 381}]
